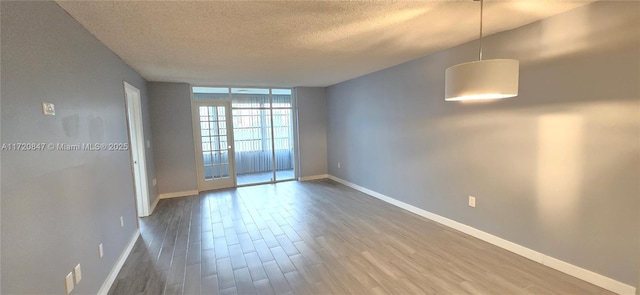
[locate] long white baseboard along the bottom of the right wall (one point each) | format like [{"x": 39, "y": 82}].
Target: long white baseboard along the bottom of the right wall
[{"x": 557, "y": 264}]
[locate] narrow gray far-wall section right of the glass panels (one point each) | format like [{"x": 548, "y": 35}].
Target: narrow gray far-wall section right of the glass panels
[{"x": 312, "y": 130}]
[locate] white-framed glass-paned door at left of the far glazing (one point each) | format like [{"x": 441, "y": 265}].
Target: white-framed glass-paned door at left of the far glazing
[{"x": 214, "y": 145}]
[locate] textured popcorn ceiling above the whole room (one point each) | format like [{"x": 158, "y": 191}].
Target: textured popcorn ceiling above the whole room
[{"x": 290, "y": 43}]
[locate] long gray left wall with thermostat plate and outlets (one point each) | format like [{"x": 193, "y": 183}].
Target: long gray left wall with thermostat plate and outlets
[{"x": 58, "y": 206}]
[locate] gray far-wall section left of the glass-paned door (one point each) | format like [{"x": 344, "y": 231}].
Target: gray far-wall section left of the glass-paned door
[{"x": 172, "y": 128}]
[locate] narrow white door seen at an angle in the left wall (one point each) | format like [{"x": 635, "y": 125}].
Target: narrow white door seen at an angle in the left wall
[{"x": 136, "y": 143}]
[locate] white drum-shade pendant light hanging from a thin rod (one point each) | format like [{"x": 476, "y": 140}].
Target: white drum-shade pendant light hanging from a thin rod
[{"x": 482, "y": 79}]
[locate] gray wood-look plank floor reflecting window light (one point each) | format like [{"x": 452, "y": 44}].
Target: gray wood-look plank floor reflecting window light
[{"x": 318, "y": 237}]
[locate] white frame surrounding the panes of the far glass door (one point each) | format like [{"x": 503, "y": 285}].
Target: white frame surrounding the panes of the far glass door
[{"x": 204, "y": 185}]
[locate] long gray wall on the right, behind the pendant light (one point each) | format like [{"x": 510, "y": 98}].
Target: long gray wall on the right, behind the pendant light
[{"x": 555, "y": 169}]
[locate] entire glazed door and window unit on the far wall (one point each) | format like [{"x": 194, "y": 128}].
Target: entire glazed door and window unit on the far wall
[{"x": 261, "y": 127}]
